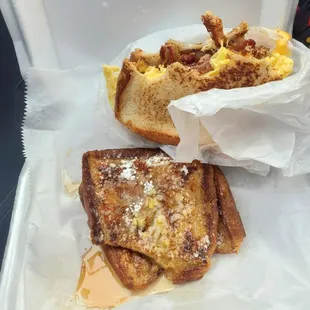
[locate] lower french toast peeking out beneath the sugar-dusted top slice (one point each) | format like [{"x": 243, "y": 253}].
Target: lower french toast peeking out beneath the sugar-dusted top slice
[{"x": 136, "y": 271}]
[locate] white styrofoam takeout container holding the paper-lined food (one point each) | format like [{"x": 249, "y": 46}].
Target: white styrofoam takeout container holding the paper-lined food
[{"x": 62, "y": 34}]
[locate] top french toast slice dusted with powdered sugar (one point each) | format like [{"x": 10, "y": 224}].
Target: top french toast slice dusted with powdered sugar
[{"x": 140, "y": 200}]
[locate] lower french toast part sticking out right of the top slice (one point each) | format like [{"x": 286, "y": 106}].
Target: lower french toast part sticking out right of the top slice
[{"x": 231, "y": 231}]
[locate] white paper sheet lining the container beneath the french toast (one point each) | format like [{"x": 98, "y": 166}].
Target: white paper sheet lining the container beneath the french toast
[{"x": 66, "y": 118}]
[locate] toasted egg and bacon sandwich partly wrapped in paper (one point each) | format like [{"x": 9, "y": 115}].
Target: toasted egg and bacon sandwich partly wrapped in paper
[{"x": 142, "y": 89}]
